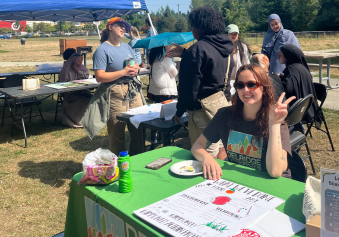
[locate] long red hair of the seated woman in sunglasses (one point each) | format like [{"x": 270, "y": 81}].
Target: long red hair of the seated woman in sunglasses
[{"x": 262, "y": 118}]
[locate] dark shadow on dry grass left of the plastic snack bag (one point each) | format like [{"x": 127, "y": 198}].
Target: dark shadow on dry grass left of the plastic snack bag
[{"x": 53, "y": 173}]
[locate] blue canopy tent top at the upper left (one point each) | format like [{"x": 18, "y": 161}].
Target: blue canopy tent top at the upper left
[{"x": 69, "y": 10}]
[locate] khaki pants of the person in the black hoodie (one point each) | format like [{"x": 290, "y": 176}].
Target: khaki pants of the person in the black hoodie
[{"x": 197, "y": 122}]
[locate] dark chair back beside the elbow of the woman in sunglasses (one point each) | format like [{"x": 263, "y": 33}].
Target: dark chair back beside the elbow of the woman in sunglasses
[{"x": 297, "y": 167}]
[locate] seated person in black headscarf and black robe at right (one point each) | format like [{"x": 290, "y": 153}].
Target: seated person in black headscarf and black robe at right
[{"x": 297, "y": 79}]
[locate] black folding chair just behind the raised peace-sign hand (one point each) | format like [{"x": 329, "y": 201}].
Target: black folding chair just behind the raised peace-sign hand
[{"x": 294, "y": 117}]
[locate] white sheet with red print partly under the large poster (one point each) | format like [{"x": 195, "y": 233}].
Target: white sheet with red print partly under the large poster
[{"x": 273, "y": 224}]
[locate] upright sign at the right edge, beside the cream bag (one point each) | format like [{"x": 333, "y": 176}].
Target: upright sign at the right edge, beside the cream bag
[{"x": 329, "y": 202}]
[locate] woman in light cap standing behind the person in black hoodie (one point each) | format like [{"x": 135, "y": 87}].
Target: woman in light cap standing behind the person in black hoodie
[{"x": 240, "y": 54}]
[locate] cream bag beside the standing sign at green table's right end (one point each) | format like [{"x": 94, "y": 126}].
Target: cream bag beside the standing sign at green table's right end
[{"x": 311, "y": 202}]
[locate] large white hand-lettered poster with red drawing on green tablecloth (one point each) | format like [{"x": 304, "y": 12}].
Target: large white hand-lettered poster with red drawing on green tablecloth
[{"x": 211, "y": 208}]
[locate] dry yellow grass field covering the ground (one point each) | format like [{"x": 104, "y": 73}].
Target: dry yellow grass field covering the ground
[{"x": 34, "y": 181}]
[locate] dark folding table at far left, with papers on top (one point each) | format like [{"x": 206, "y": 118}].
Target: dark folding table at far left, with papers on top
[{"x": 17, "y": 93}]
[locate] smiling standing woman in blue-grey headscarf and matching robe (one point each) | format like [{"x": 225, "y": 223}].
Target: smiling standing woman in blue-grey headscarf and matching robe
[{"x": 276, "y": 37}]
